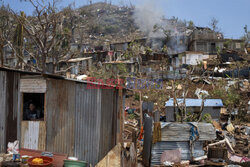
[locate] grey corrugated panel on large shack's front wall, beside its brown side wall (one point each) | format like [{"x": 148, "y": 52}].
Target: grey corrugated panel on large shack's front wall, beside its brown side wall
[{"x": 87, "y": 124}]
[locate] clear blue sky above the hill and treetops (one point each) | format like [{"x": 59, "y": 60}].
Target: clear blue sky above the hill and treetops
[{"x": 232, "y": 14}]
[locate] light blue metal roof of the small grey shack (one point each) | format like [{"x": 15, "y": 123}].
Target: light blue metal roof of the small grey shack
[{"x": 197, "y": 102}]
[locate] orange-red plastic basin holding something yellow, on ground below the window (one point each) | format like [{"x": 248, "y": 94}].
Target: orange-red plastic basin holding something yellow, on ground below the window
[{"x": 35, "y": 161}]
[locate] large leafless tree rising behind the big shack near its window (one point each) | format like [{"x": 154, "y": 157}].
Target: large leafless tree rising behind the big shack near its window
[{"x": 45, "y": 40}]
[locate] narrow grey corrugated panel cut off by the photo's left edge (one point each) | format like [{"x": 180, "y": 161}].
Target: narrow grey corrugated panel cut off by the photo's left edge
[{"x": 2, "y": 111}]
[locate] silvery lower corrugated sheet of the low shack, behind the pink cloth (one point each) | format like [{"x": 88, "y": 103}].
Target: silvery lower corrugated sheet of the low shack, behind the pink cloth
[{"x": 159, "y": 147}]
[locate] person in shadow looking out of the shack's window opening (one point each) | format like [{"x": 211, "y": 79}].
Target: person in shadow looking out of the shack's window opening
[{"x": 32, "y": 113}]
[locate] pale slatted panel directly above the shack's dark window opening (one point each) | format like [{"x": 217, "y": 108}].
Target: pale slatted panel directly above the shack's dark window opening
[{"x": 35, "y": 85}]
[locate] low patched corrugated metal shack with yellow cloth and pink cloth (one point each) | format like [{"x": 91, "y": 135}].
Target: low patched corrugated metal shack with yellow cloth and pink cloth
[{"x": 174, "y": 142}]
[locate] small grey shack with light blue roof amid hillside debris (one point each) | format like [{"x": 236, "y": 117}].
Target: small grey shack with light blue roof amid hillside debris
[{"x": 211, "y": 106}]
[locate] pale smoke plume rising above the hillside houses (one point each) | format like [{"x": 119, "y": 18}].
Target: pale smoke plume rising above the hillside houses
[{"x": 150, "y": 19}]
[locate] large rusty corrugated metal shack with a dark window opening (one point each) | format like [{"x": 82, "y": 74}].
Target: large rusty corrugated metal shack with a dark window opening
[{"x": 78, "y": 120}]
